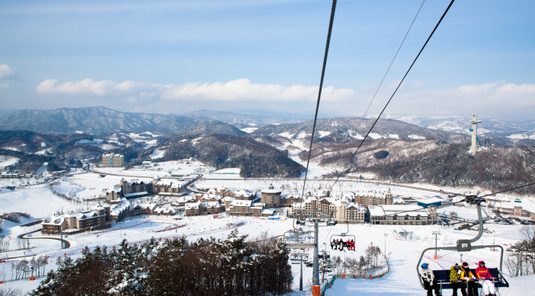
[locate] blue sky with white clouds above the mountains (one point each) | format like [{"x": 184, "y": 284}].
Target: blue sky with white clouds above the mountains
[{"x": 267, "y": 55}]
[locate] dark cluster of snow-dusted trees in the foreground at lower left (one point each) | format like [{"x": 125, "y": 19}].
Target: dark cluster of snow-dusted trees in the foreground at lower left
[{"x": 175, "y": 267}]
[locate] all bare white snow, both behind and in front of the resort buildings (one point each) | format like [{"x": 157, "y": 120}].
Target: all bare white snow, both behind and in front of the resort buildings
[{"x": 403, "y": 253}]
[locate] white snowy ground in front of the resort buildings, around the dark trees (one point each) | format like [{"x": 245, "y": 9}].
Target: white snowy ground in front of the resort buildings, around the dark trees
[{"x": 403, "y": 254}]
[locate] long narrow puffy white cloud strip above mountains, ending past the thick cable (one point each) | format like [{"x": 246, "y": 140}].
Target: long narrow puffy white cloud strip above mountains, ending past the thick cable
[{"x": 235, "y": 90}]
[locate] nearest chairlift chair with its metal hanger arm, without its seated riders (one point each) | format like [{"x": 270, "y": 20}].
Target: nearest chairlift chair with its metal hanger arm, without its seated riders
[{"x": 465, "y": 245}]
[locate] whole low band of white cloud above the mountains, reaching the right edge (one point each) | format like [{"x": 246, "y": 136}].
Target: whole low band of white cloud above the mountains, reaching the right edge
[{"x": 502, "y": 100}]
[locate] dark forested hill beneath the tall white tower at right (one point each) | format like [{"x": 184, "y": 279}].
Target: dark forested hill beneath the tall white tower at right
[{"x": 451, "y": 165}]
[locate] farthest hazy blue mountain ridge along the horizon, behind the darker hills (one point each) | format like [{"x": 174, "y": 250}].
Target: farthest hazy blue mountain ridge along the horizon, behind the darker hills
[{"x": 101, "y": 121}]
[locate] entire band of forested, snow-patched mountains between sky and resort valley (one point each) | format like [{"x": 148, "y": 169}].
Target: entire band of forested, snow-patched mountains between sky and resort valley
[{"x": 435, "y": 150}]
